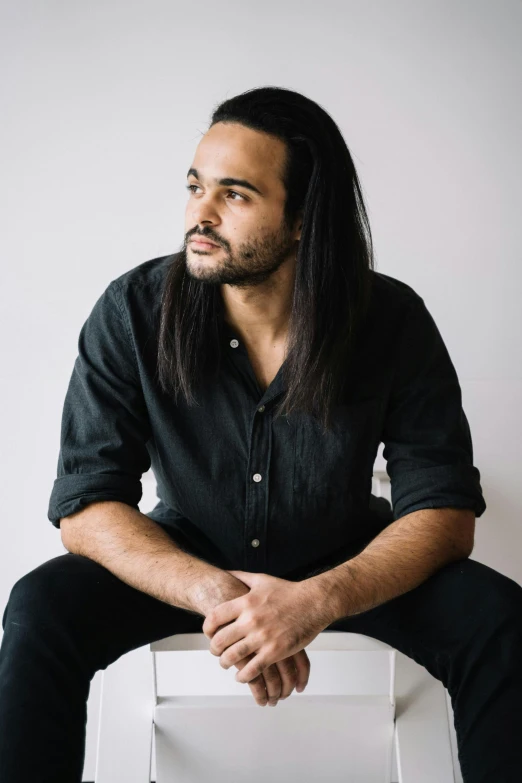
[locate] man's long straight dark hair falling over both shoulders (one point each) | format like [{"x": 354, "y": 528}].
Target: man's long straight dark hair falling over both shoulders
[{"x": 333, "y": 265}]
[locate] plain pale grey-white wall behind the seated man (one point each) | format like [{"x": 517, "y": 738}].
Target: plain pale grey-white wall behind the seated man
[{"x": 103, "y": 105}]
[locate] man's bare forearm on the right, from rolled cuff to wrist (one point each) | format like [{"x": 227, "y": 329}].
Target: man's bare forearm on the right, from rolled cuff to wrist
[{"x": 396, "y": 561}]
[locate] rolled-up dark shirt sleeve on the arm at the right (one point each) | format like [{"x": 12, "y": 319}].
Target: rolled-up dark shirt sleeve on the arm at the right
[{"x": 426, "y": 435}]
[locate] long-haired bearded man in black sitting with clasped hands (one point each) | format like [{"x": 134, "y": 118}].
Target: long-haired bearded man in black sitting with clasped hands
[{"x": 257, "y": 370}]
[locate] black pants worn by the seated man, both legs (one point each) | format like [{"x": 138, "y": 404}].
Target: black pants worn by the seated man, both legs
[{"x": 70, "y": 617}]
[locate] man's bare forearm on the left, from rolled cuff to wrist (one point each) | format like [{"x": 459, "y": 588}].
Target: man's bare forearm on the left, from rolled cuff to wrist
[{"x": 140, "y": 553}]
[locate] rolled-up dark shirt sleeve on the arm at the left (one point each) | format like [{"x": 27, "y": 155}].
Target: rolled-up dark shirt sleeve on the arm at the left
[{"x": 105, "y": 426}]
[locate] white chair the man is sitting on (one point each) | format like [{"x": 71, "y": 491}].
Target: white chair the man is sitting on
[{"x": 391, "y": 725}]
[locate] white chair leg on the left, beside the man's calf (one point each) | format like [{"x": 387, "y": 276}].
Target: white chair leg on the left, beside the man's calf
[{"x": 125, "y": 729}]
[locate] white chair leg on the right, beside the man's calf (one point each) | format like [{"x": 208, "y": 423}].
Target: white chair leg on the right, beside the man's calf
[{"x": 422, "y": 734}]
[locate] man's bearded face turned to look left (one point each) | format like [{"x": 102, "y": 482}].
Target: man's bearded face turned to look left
[{"x": 246, "y": 225}]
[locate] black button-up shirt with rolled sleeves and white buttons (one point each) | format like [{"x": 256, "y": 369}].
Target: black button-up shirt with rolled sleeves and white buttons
[{"x": 237, "y": 487}]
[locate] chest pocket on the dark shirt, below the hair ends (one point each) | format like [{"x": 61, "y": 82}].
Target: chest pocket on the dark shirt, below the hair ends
[{"x": 332, "y": 469}]
